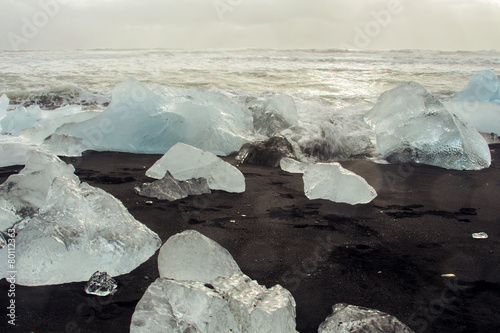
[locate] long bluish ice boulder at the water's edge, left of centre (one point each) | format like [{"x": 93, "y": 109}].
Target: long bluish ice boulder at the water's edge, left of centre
[{"x": 151, "y": 119}]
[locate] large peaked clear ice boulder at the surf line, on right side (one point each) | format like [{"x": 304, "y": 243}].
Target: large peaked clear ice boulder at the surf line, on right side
[{"x": 414, "y": 126}]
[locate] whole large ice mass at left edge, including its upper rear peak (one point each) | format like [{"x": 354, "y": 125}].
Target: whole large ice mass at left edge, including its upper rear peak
[{"x": 67, "y": 230}]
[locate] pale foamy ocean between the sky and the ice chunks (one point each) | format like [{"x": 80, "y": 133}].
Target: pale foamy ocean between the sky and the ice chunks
[{"x": 336, "y": 86}]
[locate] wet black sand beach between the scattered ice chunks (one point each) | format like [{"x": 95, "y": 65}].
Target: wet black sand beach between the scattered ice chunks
[{"x": 388, "y": 255}]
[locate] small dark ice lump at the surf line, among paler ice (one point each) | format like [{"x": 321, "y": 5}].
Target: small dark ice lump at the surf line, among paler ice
[{"x": 265, "y": 152}]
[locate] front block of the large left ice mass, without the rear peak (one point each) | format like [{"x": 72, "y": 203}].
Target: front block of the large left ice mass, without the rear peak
[{"x": 79, "y": 230}]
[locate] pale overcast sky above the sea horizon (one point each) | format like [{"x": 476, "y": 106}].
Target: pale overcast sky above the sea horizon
[{"x": 200, "y": 24}]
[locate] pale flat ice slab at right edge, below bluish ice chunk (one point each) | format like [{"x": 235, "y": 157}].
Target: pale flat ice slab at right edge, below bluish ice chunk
[{"x": 484, "y": 116}]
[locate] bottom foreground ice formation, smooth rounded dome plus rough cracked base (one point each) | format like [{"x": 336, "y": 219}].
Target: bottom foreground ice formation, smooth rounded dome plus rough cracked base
[{"x": 201, "y": 289}]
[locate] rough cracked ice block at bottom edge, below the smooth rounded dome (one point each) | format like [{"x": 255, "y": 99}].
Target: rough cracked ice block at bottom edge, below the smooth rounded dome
[{"x": 230, "y": 304}]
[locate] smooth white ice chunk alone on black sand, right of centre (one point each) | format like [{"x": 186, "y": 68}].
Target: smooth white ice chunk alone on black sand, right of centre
[{"x": 332, "y": 182}]
